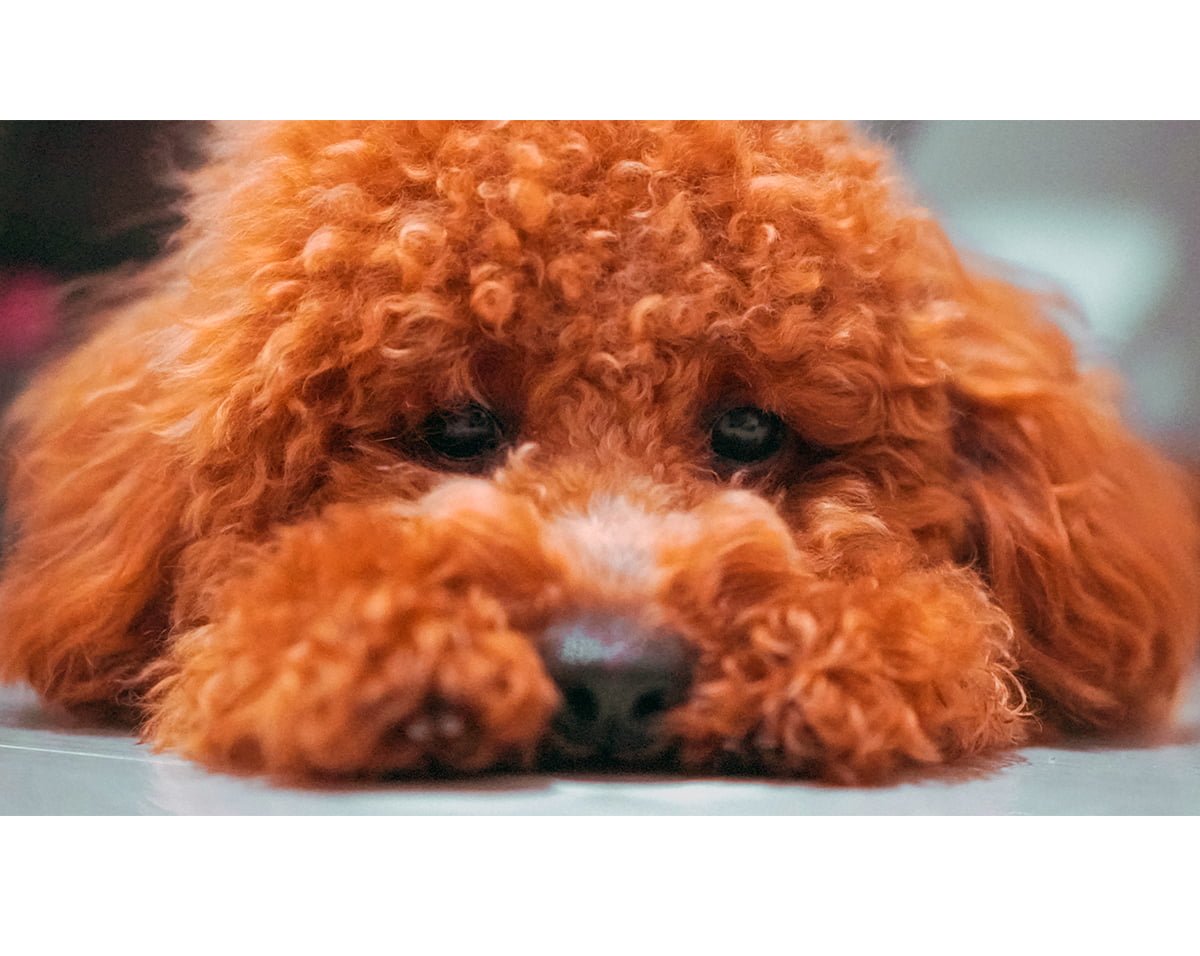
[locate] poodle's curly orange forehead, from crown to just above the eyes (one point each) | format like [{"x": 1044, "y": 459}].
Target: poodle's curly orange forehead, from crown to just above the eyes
[{"x": 668, "y": 251}]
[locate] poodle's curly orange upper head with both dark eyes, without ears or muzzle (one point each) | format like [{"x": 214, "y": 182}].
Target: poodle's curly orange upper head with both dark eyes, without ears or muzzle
[{"x": 673, "y": 309}]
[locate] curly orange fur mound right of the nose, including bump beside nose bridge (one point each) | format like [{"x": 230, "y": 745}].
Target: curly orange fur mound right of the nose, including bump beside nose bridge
[{"x": 844, "y": 676}]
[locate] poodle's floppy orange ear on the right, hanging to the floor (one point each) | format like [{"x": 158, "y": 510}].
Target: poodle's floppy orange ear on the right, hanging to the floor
[{"x": 1088, "y": 537}]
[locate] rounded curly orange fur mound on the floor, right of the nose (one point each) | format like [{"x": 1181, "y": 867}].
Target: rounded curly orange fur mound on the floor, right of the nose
[{"x": 857, "y": 683}]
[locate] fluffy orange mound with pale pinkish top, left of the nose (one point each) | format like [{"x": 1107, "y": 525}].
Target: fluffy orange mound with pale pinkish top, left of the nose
[{"x": 370, "y": 640}]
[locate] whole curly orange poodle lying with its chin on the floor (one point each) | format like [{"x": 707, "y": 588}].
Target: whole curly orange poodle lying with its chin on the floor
[{"x": 446, "y": 448}]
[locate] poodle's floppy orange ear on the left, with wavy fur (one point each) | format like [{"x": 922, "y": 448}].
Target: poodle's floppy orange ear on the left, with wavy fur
[{"x": 92, "y": 524}]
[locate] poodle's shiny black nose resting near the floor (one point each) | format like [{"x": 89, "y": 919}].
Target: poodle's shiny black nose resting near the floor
[{"x": 617, "y": 680}]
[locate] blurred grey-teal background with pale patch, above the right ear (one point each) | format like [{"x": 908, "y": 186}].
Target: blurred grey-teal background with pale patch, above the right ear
[{"x": 1106, "y": 213}]
